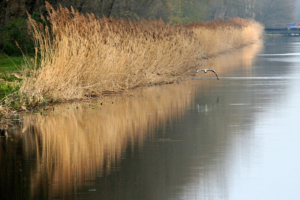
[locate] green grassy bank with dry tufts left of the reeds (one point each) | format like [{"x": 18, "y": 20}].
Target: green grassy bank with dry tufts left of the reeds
[{"x": 12, "y": 70}]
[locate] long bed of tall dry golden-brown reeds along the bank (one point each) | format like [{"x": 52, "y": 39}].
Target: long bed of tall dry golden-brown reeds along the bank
[{"x": 87, "y": 56}]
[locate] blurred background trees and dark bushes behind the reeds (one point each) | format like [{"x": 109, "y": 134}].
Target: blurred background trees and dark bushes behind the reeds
[{"x": 271, "y": 13}]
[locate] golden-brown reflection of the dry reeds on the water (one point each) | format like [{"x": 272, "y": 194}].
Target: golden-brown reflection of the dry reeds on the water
[{"x": 77, "y": 141}]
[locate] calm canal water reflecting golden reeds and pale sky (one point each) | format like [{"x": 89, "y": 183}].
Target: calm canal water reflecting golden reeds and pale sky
[{"x": 236, "y": 139}]
